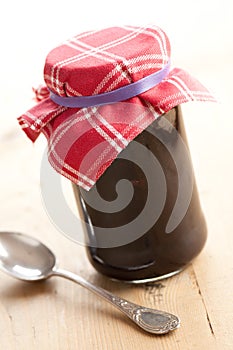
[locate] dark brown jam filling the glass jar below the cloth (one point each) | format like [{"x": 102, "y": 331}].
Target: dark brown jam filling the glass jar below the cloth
[{"x": 155, "y": 253}]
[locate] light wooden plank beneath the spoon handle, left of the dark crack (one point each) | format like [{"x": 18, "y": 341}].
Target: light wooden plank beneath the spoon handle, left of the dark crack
[{"x": 61, "y": 315}]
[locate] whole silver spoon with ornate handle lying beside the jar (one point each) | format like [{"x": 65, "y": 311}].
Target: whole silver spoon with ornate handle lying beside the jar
[{"x": 27, "y": 259}]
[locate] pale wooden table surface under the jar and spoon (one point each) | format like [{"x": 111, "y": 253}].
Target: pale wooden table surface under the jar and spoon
[{"x": 60, "y": 315}]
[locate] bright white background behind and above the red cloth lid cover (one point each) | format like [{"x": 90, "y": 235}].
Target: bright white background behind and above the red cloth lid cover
[{"x": 200, "y": 33}]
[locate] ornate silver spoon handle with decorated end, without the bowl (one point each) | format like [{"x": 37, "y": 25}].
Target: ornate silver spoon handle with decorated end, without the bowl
[{"x": 151, "y": 320}]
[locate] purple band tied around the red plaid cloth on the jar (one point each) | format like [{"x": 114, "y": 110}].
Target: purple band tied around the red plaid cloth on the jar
[{"x": 121, "y": 94}]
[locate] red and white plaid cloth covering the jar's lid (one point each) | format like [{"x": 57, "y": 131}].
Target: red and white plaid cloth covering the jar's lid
[{"x": 82, "y": 143}]
